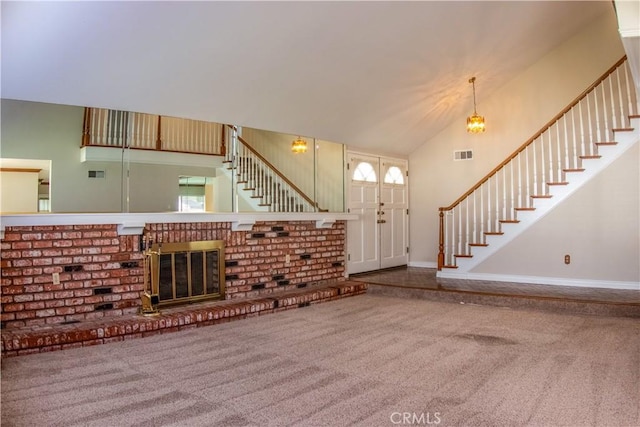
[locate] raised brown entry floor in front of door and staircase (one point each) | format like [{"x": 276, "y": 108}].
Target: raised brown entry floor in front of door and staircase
[{"x": 425, "y": 278}]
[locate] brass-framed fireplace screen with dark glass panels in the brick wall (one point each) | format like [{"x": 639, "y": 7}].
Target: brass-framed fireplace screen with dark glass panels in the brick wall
[{"x": 187, "y": 272}]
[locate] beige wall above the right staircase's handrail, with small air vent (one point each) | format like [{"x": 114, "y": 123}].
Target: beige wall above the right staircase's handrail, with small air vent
[{"x": 513, "y": 113}]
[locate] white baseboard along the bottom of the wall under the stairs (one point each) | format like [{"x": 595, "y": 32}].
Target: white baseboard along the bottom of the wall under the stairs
[{"x": 556, "y": 281}]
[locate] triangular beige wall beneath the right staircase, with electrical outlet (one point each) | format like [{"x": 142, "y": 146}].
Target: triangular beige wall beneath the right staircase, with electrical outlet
[{"x": 598, "y": 226}]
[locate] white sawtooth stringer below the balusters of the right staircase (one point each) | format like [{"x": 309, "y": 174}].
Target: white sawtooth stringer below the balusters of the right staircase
[{"x": 609, "y": 153}]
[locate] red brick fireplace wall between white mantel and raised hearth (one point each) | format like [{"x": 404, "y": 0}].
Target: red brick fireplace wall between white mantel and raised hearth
[{"x": 101, "y": 272}]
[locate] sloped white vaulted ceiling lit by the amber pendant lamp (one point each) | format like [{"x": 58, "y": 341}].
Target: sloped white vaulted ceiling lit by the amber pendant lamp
[{"x": 382, "y": 76}]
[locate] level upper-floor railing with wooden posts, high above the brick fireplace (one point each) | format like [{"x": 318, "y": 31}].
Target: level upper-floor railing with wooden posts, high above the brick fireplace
[{"x": 115, "y": 128}]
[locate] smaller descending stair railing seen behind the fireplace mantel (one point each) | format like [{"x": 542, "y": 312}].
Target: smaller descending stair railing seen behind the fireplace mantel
[{"x": 266, "y": 184}]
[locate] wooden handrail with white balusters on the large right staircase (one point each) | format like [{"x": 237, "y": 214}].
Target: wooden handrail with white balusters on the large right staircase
[{"x": 544, "y": 160}]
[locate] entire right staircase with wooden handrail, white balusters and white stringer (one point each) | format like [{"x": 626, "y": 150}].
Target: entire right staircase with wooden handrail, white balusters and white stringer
[{"x": 581, "y": 141}]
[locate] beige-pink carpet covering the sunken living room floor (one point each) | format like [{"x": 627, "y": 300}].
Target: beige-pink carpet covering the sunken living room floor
[{"x": 362, "y": 361}]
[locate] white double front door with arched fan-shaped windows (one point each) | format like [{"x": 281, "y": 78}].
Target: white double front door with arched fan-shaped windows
[{"x": 378, "y": 194}]
